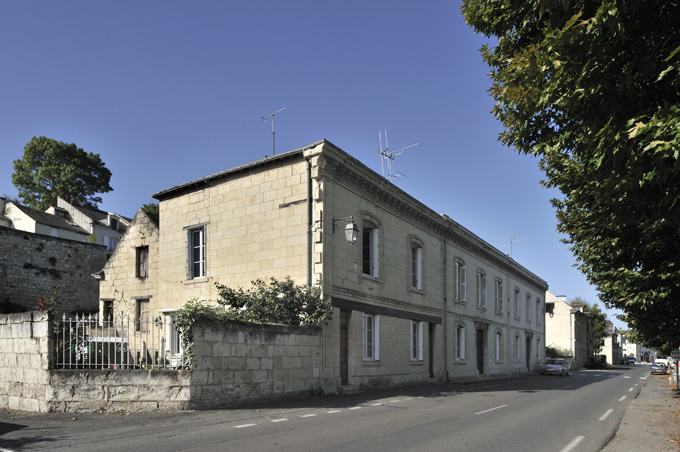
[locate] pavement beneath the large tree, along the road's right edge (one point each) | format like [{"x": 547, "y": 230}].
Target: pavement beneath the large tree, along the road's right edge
[{"x": 652, "y": 420}]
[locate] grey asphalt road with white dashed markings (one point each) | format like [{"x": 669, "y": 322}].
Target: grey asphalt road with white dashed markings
[{"x": 580, "y": 412}]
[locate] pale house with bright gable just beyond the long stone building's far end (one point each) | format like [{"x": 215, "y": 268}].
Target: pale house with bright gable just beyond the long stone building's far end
[{"x": 568, "y": 327}]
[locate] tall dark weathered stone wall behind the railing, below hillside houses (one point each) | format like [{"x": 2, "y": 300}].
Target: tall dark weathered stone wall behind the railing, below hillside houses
[{"x": 32, "y": 263}]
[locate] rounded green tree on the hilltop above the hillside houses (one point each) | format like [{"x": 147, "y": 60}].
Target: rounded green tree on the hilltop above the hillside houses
[{"x": 50, "y": 168}]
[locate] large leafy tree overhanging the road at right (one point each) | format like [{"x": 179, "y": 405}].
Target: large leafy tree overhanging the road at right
[{"x": 593, "y": 90}]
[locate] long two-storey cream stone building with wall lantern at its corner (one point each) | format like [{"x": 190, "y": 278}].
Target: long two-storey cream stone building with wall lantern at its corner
[{"x": 416, "y": 296}]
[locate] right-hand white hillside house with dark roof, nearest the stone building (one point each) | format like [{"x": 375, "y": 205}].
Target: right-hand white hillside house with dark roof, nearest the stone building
[{"x": 106, "y": 228}]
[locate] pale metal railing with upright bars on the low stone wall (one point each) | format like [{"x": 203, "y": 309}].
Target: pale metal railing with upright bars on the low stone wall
[{"x": 87, "y": 342}]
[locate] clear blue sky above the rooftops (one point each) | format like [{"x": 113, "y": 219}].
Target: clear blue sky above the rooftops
[{"x": 169, "y": 91}]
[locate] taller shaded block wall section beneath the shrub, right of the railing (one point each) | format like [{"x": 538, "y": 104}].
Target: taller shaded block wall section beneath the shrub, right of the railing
[{"x": 238, "y": 363}]
